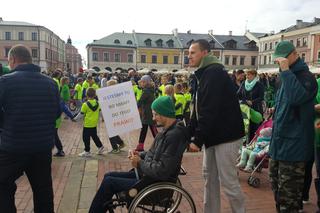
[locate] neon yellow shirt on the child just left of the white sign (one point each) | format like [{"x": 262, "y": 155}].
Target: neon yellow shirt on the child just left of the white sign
[{"x": 91, "y": 117}]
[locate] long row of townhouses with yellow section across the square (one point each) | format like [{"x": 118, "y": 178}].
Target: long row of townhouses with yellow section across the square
[{"x": 167, "y": 51}]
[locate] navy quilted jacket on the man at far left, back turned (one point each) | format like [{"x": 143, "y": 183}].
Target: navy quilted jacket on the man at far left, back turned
[{"x": 30, "y": 104}]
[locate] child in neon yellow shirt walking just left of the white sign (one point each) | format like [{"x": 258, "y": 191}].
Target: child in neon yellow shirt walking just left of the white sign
[{"x": 90, "y": 110}]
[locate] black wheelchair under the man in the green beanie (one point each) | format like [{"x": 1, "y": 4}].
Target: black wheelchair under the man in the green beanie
[{"x": 154, "y": 197}]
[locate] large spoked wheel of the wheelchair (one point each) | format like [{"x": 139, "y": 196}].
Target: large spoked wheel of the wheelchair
[{"x": 162, "y": 197}]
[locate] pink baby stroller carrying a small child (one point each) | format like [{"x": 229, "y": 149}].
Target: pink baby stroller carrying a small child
[{"x": 262, "y": 160}]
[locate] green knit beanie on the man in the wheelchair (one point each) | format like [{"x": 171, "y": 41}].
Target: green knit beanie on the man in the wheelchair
[{"x": 164, "y": 106}]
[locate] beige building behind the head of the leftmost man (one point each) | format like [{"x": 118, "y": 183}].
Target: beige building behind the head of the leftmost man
[{"x": 47, "y": 49}]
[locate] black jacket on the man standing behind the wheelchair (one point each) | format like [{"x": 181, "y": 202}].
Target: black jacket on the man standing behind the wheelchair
[{"x": 216, "y": 117}]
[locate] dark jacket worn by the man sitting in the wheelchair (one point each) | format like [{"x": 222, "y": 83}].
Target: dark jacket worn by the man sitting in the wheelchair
[{"x": 163, "y": 160}]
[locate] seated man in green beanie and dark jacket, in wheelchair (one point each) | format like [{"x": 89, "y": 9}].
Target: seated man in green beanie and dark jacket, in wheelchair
[{"x": 161, "y": 163}]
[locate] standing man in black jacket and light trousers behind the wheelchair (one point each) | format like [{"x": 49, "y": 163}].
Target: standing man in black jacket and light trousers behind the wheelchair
[{"x": 217, "y": 124}]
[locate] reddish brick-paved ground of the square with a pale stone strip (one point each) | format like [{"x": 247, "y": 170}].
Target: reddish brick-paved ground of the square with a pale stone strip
[{"x": 75, "y": 179}]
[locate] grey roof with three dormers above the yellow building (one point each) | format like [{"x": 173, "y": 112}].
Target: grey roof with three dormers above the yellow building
[{"x": 142, "y": 37}]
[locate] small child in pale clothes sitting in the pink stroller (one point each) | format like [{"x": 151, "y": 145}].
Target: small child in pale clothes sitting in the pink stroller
[{"x": 262, "y": 142}]
